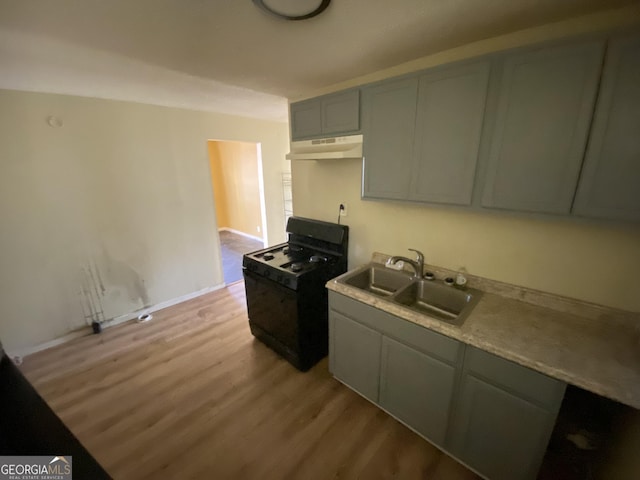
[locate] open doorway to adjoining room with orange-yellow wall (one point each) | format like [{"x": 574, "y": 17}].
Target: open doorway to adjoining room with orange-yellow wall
[{"x": 236, "y": 176}]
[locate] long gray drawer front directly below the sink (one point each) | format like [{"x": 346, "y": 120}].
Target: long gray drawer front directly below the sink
[{"x": 420, "y": 338}]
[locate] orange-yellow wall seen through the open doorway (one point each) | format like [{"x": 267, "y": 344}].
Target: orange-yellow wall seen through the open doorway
[{"x": 234, "y": 172}]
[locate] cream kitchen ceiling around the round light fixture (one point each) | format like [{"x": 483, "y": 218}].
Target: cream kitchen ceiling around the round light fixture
[{"x": 228, "y": 56}]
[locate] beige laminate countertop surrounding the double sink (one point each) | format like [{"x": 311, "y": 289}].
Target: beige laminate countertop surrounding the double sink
[{"x": 586, "y": 345}]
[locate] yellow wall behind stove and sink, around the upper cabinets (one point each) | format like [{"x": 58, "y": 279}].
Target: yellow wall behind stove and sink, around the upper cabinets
[{"x": 593, "y": 261}]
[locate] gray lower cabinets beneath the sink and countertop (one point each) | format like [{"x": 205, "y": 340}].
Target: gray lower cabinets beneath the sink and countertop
[{"x": 490, "y": 413}]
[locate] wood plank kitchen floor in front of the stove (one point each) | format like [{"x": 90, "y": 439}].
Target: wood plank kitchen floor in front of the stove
[{"x": 192, "y": 394}]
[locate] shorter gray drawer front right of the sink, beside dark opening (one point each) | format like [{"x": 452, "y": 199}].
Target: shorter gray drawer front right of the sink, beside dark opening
[{"x": 523, "y": 381}]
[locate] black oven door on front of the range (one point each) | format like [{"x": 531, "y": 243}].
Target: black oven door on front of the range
[{"x": 273, "y": 308}]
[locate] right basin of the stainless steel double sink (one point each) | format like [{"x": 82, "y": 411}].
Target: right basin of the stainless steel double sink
[{"x": 438, "y": 300}]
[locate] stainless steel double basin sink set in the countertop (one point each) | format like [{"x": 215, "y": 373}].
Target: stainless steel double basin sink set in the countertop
[{"x": 429, "y": 297}]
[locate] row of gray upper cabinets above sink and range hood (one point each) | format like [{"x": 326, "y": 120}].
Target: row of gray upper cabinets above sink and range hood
[{"x": 517, "y": 131}]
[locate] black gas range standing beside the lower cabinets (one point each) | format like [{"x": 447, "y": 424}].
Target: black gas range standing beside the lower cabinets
[{"x": 285, "y": 287}]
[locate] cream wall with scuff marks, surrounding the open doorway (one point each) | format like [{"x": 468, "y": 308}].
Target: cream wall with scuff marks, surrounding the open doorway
[{"x": 112, "y": 211}]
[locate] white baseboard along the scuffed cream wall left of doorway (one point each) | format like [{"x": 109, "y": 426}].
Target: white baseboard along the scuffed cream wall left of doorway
[{"x": 83, "y": 331}]
